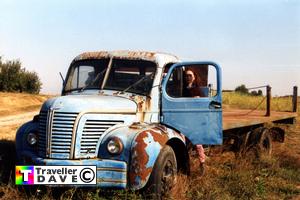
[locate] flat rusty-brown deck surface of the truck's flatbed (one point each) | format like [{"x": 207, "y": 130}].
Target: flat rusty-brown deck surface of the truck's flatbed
[{"x": 238, "y": 118}]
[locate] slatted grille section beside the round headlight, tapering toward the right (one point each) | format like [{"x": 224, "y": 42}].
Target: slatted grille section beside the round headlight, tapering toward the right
[{"x": 92, "y": 131}]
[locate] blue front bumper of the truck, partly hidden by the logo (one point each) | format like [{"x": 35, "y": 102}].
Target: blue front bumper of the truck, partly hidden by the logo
[{"x": 110, "y": 173}]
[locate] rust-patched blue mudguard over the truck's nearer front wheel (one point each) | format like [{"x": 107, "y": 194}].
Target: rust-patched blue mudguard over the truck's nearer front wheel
[{"x": 145, "y": 149}]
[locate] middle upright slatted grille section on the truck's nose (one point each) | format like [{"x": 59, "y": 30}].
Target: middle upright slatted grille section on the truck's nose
[{"x": 61, "y": 134}]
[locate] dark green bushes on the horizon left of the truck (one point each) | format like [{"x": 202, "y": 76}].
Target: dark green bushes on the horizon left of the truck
[{"x": 14, "y": 78}]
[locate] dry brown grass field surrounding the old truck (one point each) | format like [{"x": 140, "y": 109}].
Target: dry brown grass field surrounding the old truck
[{"x": 273, "y": 177}]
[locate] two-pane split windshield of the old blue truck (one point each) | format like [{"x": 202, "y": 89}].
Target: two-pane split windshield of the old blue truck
[{"x": 134, "y": 76}]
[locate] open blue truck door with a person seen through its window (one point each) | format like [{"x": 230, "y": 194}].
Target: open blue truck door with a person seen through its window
[{"x": 192, "y": 101}]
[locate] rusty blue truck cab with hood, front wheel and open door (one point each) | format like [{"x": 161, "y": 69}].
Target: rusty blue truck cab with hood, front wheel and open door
[{"x": 124, "y": 112}]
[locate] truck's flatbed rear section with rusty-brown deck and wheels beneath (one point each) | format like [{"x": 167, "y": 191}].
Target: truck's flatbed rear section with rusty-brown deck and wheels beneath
[{"x": 247, "y": 131}]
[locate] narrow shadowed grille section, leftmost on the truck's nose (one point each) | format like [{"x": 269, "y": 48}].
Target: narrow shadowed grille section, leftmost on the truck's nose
[{"x": 42, "y": 134}]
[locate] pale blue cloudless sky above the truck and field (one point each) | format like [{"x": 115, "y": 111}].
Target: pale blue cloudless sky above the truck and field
[{"x": 255, "y": 42}]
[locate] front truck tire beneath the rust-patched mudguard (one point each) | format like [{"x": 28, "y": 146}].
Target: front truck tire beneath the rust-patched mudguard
[{"x": 163, "y": 175}]
